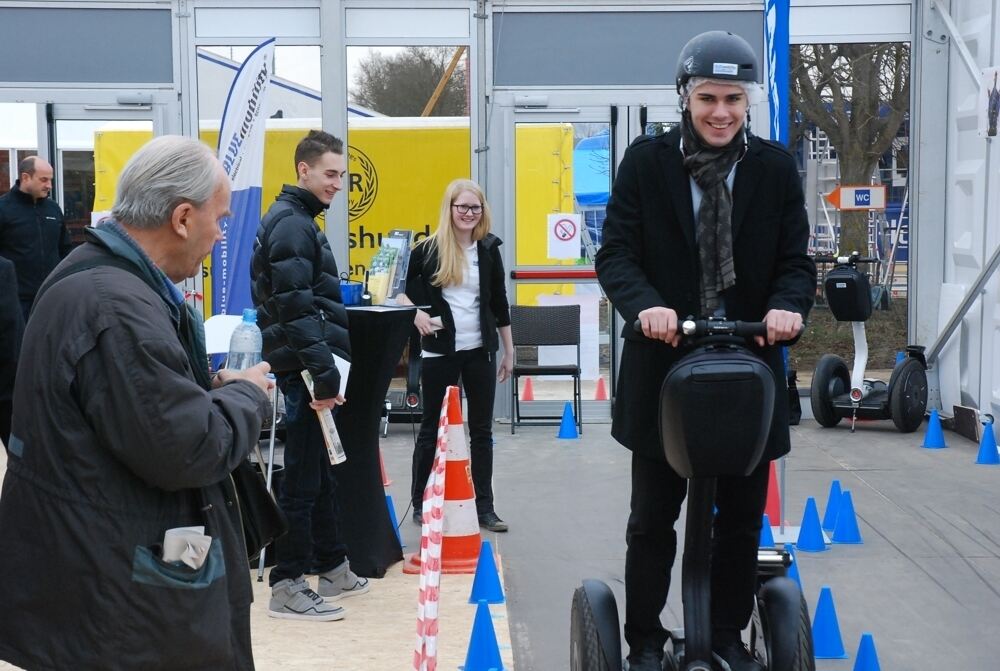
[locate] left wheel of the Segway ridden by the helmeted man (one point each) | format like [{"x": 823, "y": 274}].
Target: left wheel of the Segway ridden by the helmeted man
[{"x": 594, "y": 639}]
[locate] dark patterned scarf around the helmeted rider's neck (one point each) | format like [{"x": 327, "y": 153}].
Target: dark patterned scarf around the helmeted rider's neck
[{"x": 709, "y": 167}]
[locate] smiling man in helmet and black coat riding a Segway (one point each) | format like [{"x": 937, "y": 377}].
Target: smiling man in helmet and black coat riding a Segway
[{"x": 705, "y": 220}]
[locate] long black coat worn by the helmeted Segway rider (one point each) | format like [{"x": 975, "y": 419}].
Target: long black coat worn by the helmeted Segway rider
[{"x": 649, "y": 257}]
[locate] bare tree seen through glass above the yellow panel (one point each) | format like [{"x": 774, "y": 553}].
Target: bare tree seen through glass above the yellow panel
[{"x": 401, "y": 84}]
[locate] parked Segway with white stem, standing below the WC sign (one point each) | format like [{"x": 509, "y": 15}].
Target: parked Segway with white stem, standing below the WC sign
[{"x": 837, "y": 393}]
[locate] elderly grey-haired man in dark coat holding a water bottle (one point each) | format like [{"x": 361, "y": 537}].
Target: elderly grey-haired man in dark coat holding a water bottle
[{"x": 119, "y": 435}]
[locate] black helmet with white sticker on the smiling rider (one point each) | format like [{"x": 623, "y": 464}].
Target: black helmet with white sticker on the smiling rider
[{"x": 716, "y": 54}]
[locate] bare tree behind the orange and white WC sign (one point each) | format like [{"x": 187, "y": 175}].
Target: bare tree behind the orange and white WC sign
[{"x": 859, "y": 95}]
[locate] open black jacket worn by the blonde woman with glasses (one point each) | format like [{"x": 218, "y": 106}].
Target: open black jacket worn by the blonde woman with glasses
[{"x": 494, "y": 310}]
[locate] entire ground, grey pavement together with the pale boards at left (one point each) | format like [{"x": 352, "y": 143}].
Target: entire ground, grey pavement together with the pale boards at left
[{"x": 924, "y": 582}]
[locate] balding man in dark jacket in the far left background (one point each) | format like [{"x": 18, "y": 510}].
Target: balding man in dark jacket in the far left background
[{"x": 32, "y": 232}]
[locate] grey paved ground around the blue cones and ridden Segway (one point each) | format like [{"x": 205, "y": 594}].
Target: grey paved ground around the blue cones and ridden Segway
[{"x": 924, "y": 582}]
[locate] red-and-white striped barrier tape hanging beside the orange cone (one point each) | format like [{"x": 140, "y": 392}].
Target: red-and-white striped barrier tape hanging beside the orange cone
[{"x": 429, "y": 563}]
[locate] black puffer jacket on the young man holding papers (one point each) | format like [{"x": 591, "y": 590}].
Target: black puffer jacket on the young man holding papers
[{"x": 296, "y": 290}]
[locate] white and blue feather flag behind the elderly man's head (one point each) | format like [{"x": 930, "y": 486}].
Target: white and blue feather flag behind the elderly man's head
[{"x": 241, "y": 151}]
